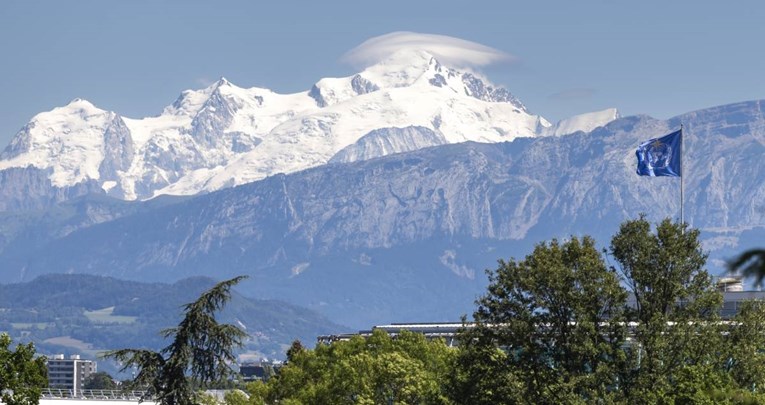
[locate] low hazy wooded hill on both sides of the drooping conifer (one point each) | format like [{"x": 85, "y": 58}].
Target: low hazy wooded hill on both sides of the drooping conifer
[{"x": 85, "y": 314}]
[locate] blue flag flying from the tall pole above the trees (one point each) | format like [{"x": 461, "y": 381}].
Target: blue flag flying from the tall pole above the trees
[{"x": 661, "y": 156}]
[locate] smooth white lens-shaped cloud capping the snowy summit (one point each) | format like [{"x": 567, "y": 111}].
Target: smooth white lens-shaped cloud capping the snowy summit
[{"x": 454, "y": 51}]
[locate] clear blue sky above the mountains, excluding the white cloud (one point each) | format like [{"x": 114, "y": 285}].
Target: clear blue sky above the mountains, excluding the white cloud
[{"x": 660, "y": 58}]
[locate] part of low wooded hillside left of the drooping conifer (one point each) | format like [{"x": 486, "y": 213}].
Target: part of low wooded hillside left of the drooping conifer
[{"x": 55, "y": 305}]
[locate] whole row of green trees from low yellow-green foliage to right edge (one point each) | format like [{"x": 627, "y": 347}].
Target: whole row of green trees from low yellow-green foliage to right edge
[{"x": 637, "y": 323}]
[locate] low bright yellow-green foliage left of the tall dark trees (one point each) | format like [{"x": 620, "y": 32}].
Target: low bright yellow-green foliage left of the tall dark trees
[{"x": 406, "y": 369}]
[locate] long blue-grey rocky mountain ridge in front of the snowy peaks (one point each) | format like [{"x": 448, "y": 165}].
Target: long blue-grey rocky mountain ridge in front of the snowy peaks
[{"x": 405, "y": 237}]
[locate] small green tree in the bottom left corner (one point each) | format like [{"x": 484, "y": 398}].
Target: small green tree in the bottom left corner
[{"x": 22, "y": 375}]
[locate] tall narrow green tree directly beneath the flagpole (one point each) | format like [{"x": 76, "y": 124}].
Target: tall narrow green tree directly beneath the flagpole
[{"x": 676, "y": 309}]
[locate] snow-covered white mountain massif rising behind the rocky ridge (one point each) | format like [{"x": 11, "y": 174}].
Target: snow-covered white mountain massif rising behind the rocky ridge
[{"x": 224, "y": 135}]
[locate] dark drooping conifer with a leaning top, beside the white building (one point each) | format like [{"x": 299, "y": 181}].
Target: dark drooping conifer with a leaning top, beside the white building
[{"x": 200, "y": 346}]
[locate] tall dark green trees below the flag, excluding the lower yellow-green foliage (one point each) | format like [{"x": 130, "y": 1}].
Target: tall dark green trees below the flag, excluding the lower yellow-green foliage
[{"x": 552, "y": 327}]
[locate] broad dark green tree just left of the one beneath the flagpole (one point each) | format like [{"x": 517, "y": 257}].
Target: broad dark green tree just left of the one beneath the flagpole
[{"x": 551, "y": 325}]
